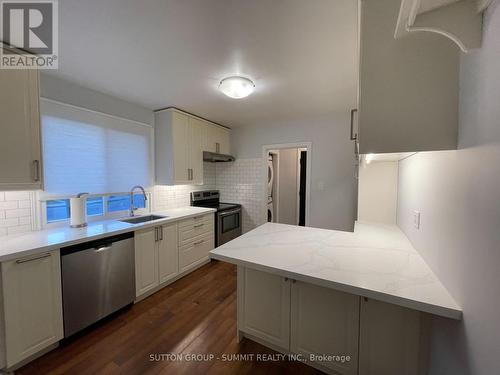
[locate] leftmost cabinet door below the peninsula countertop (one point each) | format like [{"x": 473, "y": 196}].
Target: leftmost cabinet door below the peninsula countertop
[{"x": 264, "y": 306}]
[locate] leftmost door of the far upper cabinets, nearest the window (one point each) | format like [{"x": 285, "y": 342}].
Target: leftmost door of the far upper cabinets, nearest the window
[{"x": 181, "y": 152}]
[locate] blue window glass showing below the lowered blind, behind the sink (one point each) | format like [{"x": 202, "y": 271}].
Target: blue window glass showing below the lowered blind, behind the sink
[{"x": 59, "y": 209}]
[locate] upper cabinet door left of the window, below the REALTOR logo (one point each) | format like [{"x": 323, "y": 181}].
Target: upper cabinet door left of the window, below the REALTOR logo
[{"x": 20, "y": 150}]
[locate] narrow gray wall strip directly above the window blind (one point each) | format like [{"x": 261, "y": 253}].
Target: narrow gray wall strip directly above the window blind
[{"x": 55, "y": 88}]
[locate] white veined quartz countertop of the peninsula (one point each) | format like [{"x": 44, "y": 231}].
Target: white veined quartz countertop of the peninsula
[{"x": 375, "y": 261}]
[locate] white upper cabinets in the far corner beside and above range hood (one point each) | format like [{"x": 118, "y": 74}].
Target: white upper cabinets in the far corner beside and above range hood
[{"x": 180, "y": 140}]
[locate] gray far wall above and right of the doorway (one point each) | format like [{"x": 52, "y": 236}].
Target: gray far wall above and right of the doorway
[{"x": 333, "y": 187}]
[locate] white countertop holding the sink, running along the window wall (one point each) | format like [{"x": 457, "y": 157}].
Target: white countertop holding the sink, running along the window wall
[{"x": 12, "y": 247}]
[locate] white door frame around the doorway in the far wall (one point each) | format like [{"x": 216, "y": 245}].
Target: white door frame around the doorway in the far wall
[{"x": 299, "y": 145}]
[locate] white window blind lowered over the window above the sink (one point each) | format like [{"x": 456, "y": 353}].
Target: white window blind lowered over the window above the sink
[{"x": 86, "y": 151}]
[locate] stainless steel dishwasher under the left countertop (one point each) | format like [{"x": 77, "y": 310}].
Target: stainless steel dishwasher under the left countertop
[{"x": 98, "y": 278}]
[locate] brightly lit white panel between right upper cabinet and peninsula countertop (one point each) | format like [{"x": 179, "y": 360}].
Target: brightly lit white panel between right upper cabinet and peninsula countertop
[{"x": 378, "y": 192}]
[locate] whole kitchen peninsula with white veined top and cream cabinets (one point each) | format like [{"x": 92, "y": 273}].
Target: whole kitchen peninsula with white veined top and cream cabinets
[{"x": 366, "y": 296}]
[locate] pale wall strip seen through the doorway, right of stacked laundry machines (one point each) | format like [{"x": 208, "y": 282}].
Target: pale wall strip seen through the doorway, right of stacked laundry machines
[{"x": 287, "y": 202}]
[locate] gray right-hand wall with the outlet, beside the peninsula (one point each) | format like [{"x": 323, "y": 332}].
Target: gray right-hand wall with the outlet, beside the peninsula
[{"x": 458, "y": 195}]
